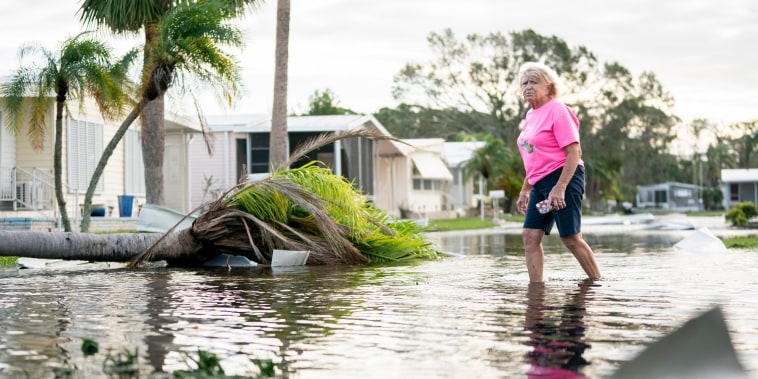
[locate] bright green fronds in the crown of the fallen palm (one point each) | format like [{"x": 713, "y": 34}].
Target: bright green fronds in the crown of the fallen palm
[{"x": 331, "y": 200}]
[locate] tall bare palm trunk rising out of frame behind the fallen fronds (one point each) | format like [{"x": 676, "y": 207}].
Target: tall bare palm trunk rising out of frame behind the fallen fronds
[{"x": 279, "y": 137}]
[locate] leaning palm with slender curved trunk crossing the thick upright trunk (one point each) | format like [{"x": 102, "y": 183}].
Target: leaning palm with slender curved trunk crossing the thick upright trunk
[{"x": 189, "y": 47}]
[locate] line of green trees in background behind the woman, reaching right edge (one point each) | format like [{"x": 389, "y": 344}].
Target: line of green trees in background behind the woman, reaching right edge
[{"x": 470, "y": 90}]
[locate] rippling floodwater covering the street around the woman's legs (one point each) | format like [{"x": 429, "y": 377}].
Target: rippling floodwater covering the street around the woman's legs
[{"x": 472, "y": 316}]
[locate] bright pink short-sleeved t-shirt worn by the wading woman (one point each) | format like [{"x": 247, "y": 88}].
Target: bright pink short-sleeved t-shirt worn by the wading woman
[{"x": 547, "y": 130}]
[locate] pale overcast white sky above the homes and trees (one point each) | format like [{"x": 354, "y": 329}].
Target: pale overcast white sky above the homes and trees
[{"x": 704, "y": 52}]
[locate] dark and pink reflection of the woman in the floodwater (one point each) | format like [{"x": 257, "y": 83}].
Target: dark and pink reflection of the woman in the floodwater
[{"x": 556, "y": 334}]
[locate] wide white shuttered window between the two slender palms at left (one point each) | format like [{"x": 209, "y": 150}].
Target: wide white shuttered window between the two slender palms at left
[{"x": 85, "y": 146}]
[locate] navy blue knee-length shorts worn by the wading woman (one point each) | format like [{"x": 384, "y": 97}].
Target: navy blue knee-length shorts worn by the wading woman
[{"x": 569, "y": 219}]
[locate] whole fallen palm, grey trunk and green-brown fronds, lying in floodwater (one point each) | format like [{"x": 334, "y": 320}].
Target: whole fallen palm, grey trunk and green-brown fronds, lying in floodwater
[{"x": 306, "y": 208}]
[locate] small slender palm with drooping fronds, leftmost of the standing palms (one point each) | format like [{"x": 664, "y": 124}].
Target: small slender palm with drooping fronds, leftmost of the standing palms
[{"x": 82, "y": 67}]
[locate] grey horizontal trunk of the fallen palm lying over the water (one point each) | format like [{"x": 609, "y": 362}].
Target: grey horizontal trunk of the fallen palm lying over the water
[{"x": 97, "y": 247}]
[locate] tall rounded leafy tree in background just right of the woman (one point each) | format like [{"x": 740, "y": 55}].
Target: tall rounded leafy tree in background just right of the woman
[{"x": 627, "y": 126}]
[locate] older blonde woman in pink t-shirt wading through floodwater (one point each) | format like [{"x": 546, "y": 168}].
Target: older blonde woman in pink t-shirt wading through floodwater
[{"x": 549, "y": 146}]
